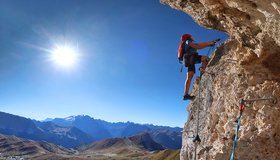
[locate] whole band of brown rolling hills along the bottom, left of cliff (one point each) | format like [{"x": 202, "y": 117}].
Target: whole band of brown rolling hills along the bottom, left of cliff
[{"x": 135, "y": 147}]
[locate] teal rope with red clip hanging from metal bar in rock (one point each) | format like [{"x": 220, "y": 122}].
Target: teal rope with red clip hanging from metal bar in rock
[{"x": 241, "y": 109}]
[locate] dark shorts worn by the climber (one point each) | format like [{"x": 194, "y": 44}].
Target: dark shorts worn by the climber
[{"x": 191, "y": 60}]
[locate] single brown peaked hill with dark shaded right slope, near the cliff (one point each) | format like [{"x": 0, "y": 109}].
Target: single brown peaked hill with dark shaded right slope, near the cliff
[{"x": 135, "y": 147}]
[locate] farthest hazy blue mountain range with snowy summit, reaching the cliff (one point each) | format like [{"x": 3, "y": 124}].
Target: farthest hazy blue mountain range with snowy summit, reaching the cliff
[{"x": 169, "y": 137}]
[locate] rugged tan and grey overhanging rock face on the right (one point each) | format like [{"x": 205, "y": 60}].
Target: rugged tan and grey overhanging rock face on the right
[{"x": 247, "y": 66}]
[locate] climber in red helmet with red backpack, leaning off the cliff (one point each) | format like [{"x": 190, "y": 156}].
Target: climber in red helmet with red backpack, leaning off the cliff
[{"x": 190, "y": 58}]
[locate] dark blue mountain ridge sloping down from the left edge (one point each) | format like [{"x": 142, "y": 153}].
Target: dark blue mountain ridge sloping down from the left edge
[{"x": 43, "y": 131}]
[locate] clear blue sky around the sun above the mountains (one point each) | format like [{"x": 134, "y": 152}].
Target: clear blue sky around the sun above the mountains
[{"x": 127, "y": 68}]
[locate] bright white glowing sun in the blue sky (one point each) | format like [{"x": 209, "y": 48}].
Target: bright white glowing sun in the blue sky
[{"x": 64, "y": 56}]
